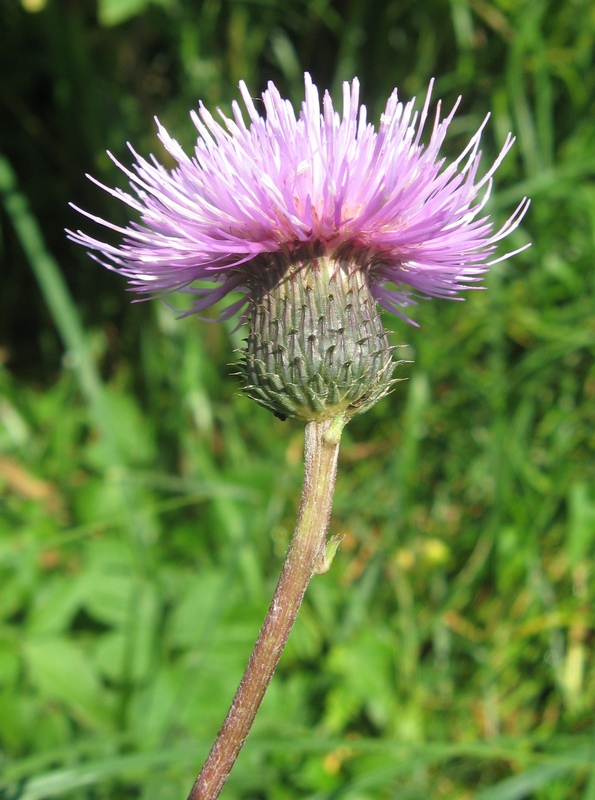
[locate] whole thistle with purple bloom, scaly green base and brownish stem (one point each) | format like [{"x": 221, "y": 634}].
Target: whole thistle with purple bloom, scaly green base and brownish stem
[{"x": 317, "y": 220}]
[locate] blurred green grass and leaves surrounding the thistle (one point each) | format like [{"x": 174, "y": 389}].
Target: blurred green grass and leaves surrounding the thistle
[{"x": 145, "y": 505}]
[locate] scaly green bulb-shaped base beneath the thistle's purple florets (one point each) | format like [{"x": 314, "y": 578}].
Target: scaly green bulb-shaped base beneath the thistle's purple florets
[{"x": 316, "y": 346}]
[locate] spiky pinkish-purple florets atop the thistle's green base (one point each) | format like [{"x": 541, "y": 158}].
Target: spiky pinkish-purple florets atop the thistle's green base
[{"x": 316, "y": 184}]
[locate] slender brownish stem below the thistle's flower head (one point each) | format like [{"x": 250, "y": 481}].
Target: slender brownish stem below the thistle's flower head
[{"x": 306, "y": 556}]
